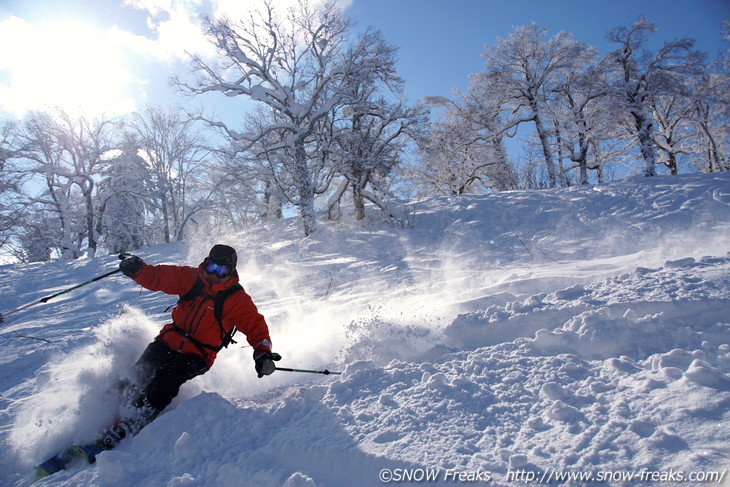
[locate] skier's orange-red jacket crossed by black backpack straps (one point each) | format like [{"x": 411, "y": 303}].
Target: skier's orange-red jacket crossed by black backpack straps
[{"x": 196, "y": 318}]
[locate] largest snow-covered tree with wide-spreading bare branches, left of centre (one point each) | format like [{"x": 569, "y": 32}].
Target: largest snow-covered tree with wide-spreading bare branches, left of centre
[{"x": 301, "y": 68}]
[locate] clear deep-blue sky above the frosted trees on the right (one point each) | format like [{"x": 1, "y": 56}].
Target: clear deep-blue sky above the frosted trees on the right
[{"x": 441, "y": 42}]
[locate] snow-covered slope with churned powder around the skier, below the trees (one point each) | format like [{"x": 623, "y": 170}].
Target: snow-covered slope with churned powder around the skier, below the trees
[{"x": 492, "y": 339}]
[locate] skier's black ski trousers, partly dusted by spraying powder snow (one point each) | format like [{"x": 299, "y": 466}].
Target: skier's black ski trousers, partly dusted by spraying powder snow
[{"x": 160, "y": 373}]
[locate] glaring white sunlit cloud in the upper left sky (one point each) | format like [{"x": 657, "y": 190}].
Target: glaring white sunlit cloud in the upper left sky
[{"x": 79, "y": 67}]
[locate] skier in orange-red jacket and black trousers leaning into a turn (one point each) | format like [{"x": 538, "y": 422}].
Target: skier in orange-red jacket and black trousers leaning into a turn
[{"x": 212, "y": 306}]
